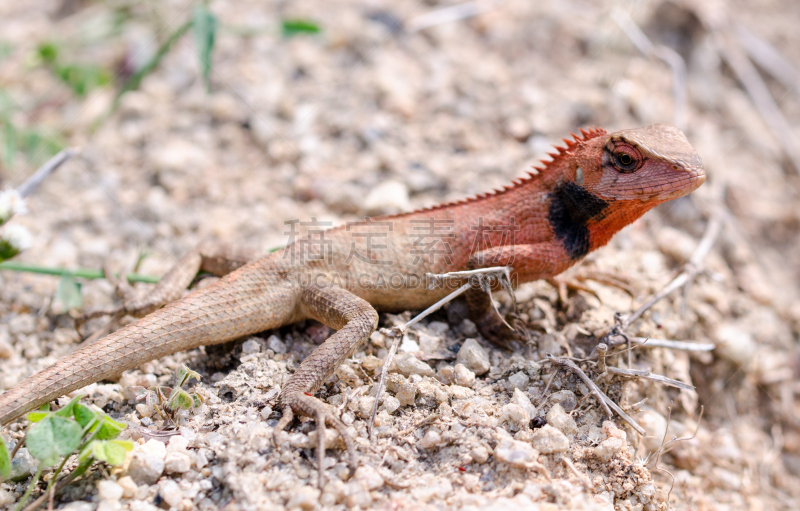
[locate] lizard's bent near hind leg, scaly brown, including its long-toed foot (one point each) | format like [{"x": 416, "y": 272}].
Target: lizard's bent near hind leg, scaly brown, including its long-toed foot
[{"x": 355, "y": 320}]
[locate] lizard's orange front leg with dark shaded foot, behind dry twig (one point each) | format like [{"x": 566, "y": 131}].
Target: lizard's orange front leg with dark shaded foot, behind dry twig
[{"x": 529, "y": 262}]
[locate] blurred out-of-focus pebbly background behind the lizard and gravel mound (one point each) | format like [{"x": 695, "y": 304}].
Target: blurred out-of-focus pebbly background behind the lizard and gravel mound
[{"x": 224, "y": 120}]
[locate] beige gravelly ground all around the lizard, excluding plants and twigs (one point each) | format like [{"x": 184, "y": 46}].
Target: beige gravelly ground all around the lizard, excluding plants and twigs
[{"x": 378, "y": 114}]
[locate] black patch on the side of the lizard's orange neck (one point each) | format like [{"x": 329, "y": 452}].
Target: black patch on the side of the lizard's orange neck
[{"x": 571, "y": 207}]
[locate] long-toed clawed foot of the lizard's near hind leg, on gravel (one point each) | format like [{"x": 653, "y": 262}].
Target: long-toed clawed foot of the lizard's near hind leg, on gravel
[{"x": 321, "y": 415}]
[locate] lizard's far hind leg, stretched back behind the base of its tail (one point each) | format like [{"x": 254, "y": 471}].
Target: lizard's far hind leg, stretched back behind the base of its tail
[{"x": 215, "y": 258}]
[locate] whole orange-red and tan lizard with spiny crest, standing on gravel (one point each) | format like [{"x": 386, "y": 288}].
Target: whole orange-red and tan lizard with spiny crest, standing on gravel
[{"x": 540, "y": 225}]
